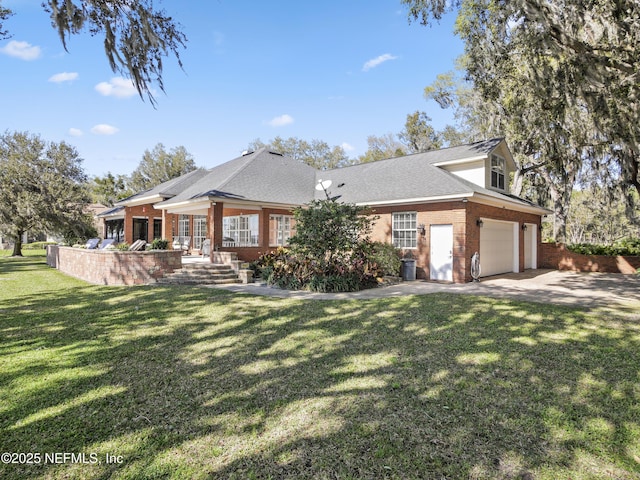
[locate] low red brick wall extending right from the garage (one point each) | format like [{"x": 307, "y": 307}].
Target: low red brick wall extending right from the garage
[{"x": 556, "y": 256}]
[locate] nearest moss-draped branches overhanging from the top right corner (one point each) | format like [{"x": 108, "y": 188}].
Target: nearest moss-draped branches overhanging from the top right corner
[{"x": 578, "y": 55}]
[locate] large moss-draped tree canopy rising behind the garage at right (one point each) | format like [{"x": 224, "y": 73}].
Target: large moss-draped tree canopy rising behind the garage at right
[{"x": 559, "y": 79}]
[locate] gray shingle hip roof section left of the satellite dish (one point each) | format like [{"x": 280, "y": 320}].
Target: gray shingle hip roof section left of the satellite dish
[{"x": 261, "y": 176}]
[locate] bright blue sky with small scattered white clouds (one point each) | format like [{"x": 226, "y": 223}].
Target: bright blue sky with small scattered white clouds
[{"x": 257, "y": 69}]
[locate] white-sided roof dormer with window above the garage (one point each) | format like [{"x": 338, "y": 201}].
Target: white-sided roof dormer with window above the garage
[{"x": 490, "y": 168}]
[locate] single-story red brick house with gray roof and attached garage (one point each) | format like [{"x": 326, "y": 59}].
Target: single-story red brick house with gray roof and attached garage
[{"x": 439, "y": 207}]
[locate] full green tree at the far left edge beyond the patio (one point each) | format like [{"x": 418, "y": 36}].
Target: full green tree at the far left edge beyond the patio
[{"x": 42, "y": 188}]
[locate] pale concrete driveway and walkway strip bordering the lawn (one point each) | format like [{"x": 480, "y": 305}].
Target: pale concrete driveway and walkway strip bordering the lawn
[{"x": 544, "y": 286}]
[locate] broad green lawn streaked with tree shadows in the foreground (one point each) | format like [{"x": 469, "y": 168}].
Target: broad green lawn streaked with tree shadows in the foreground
[{"x": 167, "y": 382}]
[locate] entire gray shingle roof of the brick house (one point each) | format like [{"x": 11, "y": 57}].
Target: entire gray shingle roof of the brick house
[{"x": 268, "y": 177}]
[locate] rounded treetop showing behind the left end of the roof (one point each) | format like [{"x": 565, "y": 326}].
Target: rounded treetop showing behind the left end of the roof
[{"x": 158, "y": 166}]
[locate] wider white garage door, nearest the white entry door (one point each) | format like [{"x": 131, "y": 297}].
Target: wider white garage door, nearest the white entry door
[{"x": 498, "y": 247}]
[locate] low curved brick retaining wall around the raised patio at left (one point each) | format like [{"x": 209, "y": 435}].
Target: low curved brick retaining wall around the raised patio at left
[{"x": 109, "y": 267}]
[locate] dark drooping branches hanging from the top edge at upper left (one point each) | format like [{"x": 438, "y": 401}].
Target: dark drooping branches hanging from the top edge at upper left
[{"x": 136, "y": 35}]
